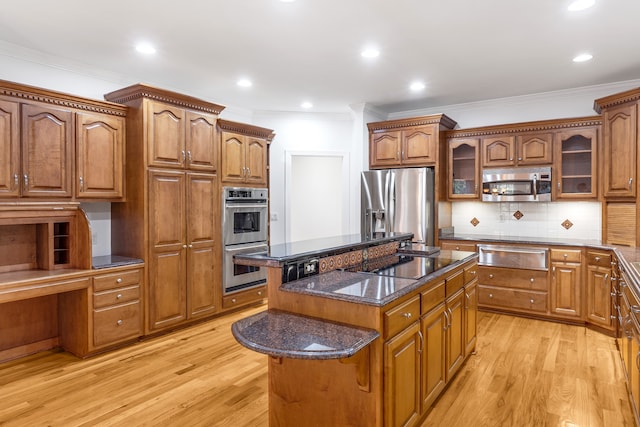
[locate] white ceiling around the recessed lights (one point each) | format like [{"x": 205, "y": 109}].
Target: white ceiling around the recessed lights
[{"x": 463, "y": 50}]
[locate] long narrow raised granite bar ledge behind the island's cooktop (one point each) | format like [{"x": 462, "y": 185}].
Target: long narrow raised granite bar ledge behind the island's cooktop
[{"x": 278, "y": 255}]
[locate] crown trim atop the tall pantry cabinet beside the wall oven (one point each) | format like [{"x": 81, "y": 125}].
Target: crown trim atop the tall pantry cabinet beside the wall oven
[{"x": 137, "y": 91}]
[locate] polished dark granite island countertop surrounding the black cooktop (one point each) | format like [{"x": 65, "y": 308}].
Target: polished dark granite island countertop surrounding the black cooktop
[{"x": 379, "y": 289}]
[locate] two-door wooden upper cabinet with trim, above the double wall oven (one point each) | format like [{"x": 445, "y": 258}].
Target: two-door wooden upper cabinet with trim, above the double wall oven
[{"x": 245, "y": 154}]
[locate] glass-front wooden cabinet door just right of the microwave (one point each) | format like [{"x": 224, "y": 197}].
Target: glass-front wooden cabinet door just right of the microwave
[{"x": 576, "y": 174}]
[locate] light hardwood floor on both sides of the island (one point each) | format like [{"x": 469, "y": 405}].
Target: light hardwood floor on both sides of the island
[{"x": 525, "y": 373}]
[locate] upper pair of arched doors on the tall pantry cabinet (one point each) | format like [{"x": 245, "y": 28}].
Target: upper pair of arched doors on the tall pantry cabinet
[{"x": 179, "y": 138}]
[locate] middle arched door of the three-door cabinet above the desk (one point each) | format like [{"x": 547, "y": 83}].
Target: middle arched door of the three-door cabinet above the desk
[{"x": 46, "y": 151}]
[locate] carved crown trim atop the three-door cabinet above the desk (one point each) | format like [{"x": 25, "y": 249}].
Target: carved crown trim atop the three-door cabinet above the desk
[{"x": 32, "y": 93}]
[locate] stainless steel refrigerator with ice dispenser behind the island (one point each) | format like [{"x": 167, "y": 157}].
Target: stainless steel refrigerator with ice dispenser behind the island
[{"x": 398, "y": 200}]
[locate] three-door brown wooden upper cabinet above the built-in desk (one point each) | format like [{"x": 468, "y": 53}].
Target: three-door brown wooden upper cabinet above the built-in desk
[{"x": 40, "y": 142}]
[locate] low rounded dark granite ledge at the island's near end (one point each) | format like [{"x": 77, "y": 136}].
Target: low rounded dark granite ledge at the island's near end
[{"x": 281, "y": 334}]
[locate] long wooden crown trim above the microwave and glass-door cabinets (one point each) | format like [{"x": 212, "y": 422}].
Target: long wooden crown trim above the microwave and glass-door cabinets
[{"x": 537, "y": 126}]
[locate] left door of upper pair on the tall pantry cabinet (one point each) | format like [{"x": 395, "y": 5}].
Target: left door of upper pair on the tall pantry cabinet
[{"x": 166, "y": 135}]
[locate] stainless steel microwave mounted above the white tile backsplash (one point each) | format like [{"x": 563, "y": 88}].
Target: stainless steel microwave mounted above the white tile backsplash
[{"x": 517, "y": 185}]
